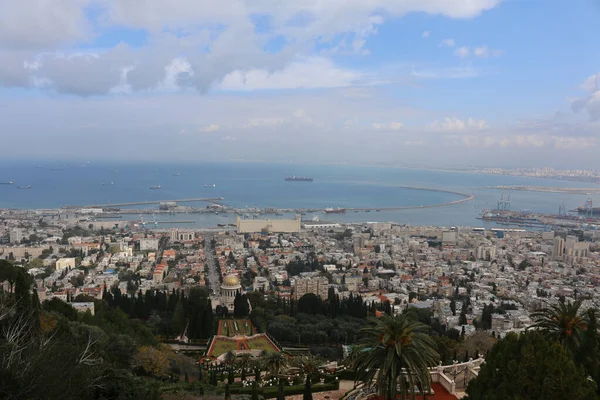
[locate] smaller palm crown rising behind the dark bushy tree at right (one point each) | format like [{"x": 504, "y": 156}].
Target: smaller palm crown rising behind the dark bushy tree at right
[{"x": 563, "y": 322}]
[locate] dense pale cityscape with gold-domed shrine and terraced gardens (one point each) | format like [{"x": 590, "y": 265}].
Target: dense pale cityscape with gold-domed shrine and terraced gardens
[{"x": 229, "y": 303}]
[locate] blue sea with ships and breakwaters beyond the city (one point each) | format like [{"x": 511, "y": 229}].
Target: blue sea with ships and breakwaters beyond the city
[{"x": 254, "y": 184}]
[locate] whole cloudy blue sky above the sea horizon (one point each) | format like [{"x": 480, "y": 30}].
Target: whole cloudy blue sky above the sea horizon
[{"x": 512, "y": 83}]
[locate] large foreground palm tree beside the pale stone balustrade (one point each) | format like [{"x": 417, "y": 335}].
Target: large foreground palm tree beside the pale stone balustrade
[{"x": 396, "y": 353}]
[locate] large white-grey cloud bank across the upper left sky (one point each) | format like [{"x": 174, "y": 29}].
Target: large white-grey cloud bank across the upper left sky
[{"x": 189, "y": 42}]
